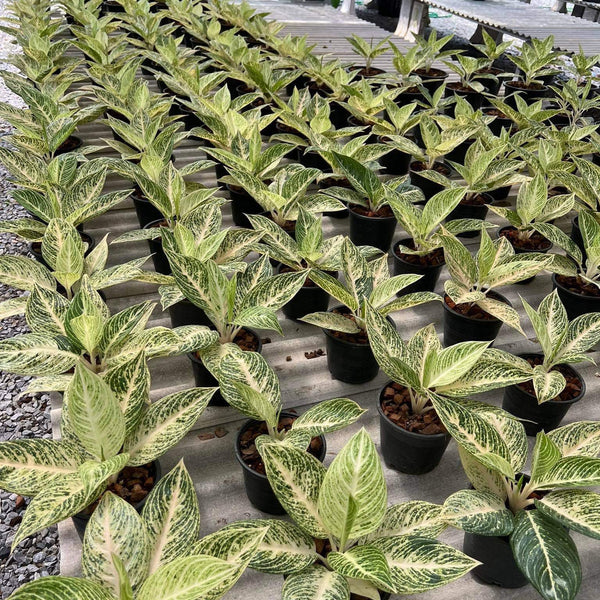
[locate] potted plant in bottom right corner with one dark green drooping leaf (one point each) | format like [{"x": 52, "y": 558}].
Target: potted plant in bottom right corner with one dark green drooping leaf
[{"x": 518, "y": 526}]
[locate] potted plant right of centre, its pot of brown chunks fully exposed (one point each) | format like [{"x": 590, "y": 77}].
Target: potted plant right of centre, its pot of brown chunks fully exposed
[{"x": 413, "y": 438}]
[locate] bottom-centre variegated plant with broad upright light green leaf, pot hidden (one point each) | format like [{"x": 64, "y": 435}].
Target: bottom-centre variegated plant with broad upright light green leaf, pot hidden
[{"x": 362, "y": 545}]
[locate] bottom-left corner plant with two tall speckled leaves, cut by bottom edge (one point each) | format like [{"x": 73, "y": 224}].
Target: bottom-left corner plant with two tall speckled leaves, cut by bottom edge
[{"x": 131, "y": 556}]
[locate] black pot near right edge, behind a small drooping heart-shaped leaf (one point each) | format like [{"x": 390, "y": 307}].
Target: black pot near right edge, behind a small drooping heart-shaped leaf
[{"x": 546, "y": 416}]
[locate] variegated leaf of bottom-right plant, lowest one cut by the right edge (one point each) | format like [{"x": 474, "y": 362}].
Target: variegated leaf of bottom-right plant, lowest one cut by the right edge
[{"x": 578, "y": 510}]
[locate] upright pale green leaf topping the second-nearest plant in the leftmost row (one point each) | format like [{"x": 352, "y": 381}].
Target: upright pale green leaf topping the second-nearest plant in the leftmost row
[{"x": 94, "y": 413}]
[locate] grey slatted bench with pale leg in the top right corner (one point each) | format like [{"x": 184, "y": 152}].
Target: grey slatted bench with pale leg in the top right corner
[{"x": 511, "y": 17}]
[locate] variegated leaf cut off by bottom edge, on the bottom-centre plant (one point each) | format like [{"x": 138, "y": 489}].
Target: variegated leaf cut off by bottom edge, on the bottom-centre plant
[{"x": 314, "y": 583}]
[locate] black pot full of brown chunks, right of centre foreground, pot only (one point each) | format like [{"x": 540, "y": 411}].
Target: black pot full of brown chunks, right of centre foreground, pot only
[{"x": 407, "y": 451}]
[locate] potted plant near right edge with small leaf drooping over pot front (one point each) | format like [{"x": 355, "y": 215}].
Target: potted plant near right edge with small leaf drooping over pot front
[{"x": 555, "y": 385}]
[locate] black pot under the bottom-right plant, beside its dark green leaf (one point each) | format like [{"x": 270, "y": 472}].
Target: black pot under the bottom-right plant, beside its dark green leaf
[{"x": 498, "y": 564}]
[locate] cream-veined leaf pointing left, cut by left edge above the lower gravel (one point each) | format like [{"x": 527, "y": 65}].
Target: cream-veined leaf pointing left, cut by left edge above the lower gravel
[{"x": 27, "y": 466}]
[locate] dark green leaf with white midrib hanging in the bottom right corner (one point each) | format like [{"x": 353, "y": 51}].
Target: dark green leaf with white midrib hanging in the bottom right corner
[{"x": 547, "y": 556}]
